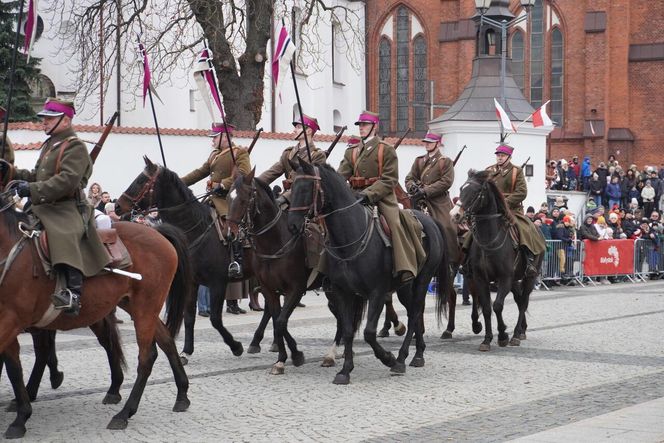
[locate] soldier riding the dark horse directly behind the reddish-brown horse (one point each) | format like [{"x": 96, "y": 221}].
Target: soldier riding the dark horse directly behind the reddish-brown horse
[{"x": 221, "y": 167}]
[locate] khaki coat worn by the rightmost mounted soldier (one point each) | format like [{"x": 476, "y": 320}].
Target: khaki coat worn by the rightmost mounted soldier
[{"x": 515, "y": 192}]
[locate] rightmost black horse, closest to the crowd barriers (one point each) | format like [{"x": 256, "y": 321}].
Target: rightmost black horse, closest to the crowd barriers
[{"x": 494, "y": 257}]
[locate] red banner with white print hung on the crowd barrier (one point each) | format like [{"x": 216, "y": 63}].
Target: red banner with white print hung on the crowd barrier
[{"x": 608, "y": 257}]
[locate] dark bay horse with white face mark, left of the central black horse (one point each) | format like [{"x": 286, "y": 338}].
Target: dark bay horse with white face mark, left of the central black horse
[{"x": 278, "y": 259}]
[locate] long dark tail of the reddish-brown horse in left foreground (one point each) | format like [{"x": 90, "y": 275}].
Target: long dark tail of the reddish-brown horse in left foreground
[{"x": 180, "y": 291}]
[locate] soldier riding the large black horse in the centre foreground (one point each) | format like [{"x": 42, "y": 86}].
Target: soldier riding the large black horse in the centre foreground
[{"x": 372, "y": 168}]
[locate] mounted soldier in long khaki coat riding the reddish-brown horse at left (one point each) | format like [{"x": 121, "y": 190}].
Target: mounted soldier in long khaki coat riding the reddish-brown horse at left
[{"x": 55, "y": 187}]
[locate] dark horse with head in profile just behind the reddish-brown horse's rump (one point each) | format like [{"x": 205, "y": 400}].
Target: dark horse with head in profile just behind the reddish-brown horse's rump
[{"x": 160, "y": 188}]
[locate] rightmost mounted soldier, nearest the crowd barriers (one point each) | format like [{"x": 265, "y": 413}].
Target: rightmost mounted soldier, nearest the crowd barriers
[{"x": 511, "y": 182}]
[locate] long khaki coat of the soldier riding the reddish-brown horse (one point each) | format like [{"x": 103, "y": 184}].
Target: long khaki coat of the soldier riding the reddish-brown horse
[{"x": 56, "y": 192}]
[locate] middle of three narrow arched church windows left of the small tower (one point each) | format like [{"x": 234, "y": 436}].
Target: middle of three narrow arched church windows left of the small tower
[{"x": 403, "y": 71}]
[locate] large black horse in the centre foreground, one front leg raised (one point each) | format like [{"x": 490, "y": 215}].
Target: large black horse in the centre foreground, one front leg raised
[{"x": 359, "y": 265}]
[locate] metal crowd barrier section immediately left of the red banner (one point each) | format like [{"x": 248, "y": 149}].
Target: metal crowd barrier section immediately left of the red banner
[{"x": 562, "y": 262}]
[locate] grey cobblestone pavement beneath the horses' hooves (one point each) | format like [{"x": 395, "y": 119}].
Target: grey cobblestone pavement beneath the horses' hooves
[{"x": 592, "y": 368}]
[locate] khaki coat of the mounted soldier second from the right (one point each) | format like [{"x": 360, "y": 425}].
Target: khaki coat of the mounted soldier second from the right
[{"x": 435, "y": 174}]
